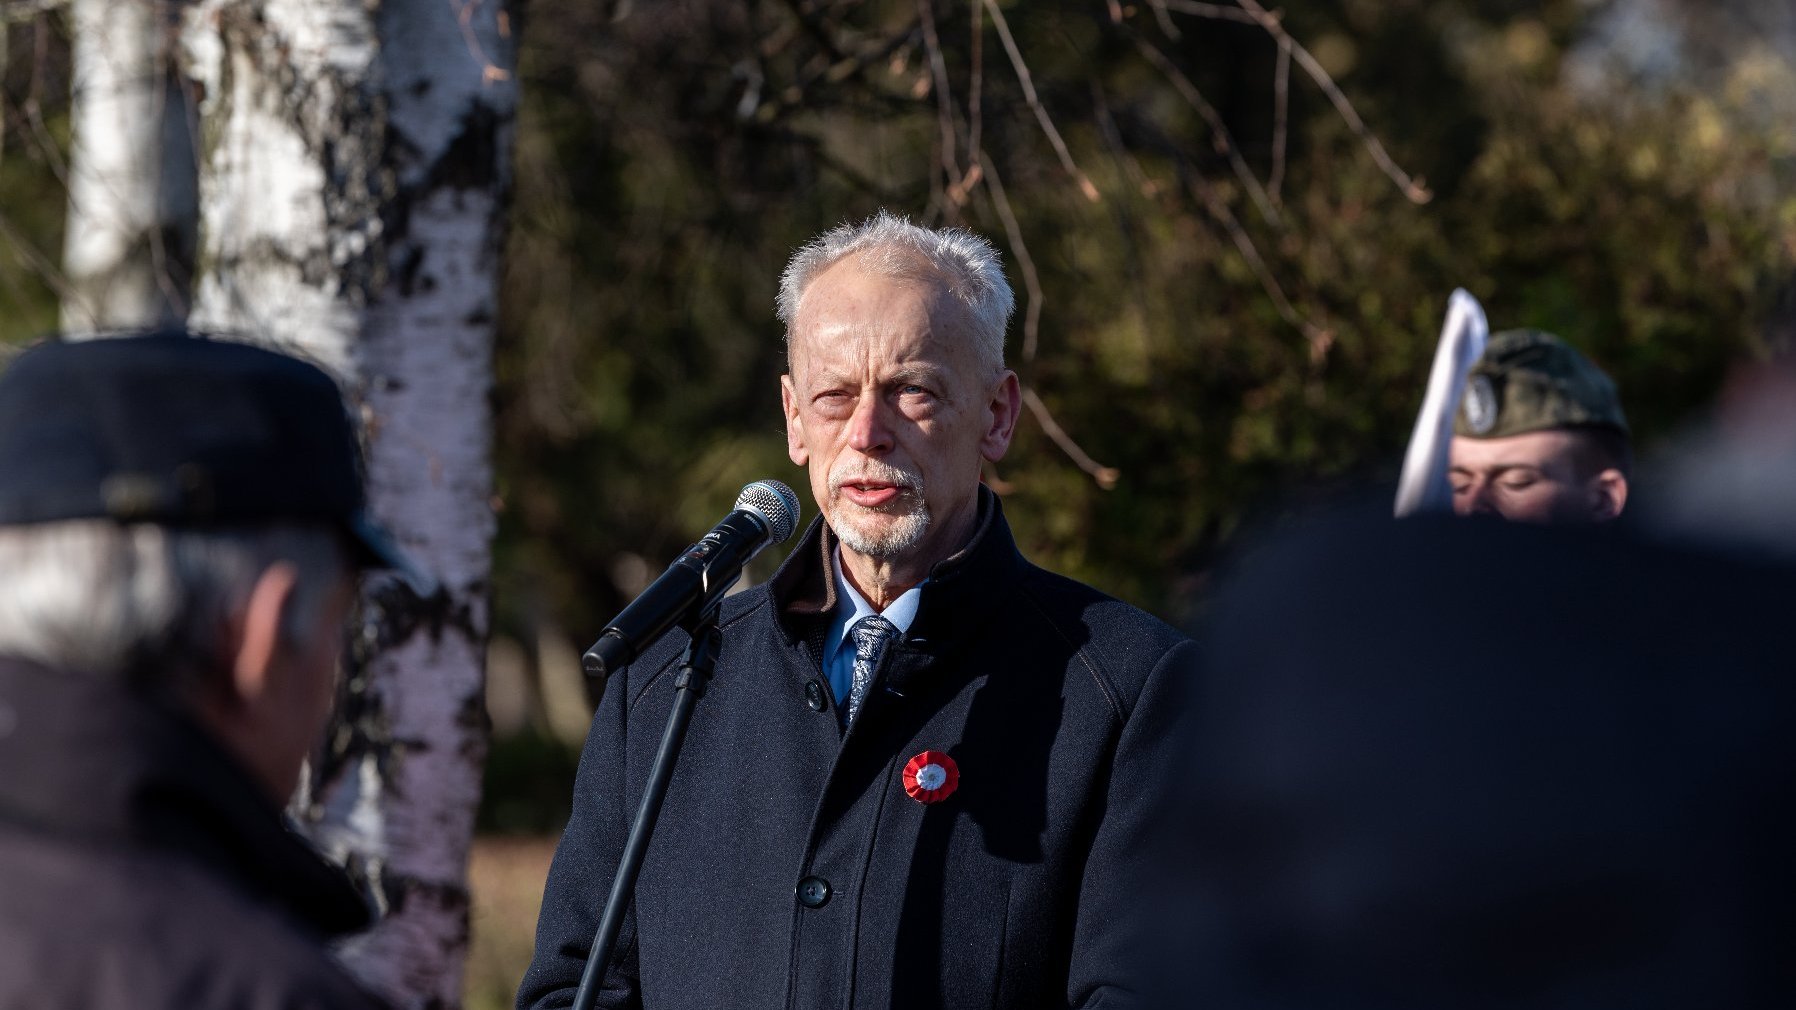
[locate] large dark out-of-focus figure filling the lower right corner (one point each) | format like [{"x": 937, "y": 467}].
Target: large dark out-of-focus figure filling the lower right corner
[{"x": 1488, "y": 765}]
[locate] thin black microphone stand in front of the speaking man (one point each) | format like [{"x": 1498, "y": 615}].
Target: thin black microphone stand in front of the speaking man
[{"x": 694, "y": 677}]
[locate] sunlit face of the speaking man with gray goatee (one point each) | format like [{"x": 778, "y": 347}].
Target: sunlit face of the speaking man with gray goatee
[{"x": 892, "y": 411}]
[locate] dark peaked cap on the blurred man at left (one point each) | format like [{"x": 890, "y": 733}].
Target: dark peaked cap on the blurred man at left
[{"x": 182, "y": 430}]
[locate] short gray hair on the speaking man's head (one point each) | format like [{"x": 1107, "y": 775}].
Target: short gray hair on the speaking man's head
[{"x": 967, "y": 265}]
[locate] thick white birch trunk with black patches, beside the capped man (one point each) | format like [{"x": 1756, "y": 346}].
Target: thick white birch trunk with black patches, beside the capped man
[{"x": 353, "y": 182}]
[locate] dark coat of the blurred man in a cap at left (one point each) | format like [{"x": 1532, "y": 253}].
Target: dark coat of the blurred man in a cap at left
[{"x": 141, "y": 867}]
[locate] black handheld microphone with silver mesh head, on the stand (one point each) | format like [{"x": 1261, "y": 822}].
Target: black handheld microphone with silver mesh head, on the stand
[{"x": 766, "y": 513}]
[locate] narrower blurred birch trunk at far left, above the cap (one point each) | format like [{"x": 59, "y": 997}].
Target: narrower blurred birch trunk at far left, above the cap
[{"x": 132, "y": 204}]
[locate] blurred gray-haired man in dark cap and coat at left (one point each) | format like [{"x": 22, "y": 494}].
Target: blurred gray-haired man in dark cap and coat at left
[{"x": 180, "y": 531}]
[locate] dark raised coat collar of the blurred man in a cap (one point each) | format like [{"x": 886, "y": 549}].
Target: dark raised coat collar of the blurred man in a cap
[{"x": 85, "y": 759}]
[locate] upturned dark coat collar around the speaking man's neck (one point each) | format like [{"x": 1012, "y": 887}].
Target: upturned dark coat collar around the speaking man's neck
[{"x": 956, "y": 598}]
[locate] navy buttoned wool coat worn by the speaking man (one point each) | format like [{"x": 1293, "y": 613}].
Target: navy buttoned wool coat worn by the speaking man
[{"x": 791, "y": 869}]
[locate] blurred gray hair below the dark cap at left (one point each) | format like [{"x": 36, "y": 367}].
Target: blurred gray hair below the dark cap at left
[{"x": 150, "y": 603}]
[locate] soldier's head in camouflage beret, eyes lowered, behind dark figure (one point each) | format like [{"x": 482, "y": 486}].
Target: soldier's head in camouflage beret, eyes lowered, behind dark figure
[{"x": 1540, "y": 436}]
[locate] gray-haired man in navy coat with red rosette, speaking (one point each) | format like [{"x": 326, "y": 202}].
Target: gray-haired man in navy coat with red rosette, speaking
[{"x": 924, "y": 770}]
